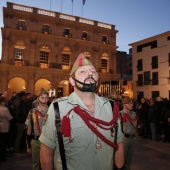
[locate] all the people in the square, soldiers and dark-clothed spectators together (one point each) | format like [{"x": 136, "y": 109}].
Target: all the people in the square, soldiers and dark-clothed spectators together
[{"x": 83, "y": 130}]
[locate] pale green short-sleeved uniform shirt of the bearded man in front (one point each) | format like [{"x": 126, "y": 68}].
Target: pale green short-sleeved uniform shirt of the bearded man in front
[{"x": 81, "y": 152}]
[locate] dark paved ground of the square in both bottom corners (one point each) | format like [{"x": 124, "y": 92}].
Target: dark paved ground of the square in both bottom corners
[{"x": 147, "y": 156}]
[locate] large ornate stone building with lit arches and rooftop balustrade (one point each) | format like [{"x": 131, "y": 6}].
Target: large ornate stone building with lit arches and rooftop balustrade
[{"x": 39, "y": 48}]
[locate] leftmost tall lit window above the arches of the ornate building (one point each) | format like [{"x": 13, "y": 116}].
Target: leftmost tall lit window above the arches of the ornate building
[{"x": 19, "y": 55}]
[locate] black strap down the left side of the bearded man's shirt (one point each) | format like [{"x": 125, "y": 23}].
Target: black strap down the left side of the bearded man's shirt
[{"x": 59, "y": 134}]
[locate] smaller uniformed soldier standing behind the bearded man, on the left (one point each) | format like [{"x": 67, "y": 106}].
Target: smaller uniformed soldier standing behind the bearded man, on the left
[{"x": 35, "y": 120}]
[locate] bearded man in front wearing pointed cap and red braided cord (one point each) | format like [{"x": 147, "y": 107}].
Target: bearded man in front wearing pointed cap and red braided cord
[{"x": 87, "y": 127}]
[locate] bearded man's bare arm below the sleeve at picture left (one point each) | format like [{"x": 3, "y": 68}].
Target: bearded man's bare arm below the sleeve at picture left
[{"x": 46, "y": 157}]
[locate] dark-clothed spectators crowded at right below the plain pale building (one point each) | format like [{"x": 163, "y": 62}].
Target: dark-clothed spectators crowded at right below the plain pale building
[{"x": 154, "y": 119}]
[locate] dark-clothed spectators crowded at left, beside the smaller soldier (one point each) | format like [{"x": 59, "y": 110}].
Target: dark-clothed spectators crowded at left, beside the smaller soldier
[{"x": 14, "y": 112}]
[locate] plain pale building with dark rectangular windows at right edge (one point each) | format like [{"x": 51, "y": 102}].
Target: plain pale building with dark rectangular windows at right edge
[{"x": 151, "y": 67}]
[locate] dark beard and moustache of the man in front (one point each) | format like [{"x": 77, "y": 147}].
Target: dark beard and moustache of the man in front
[{"x": 91, "y": 87}]
